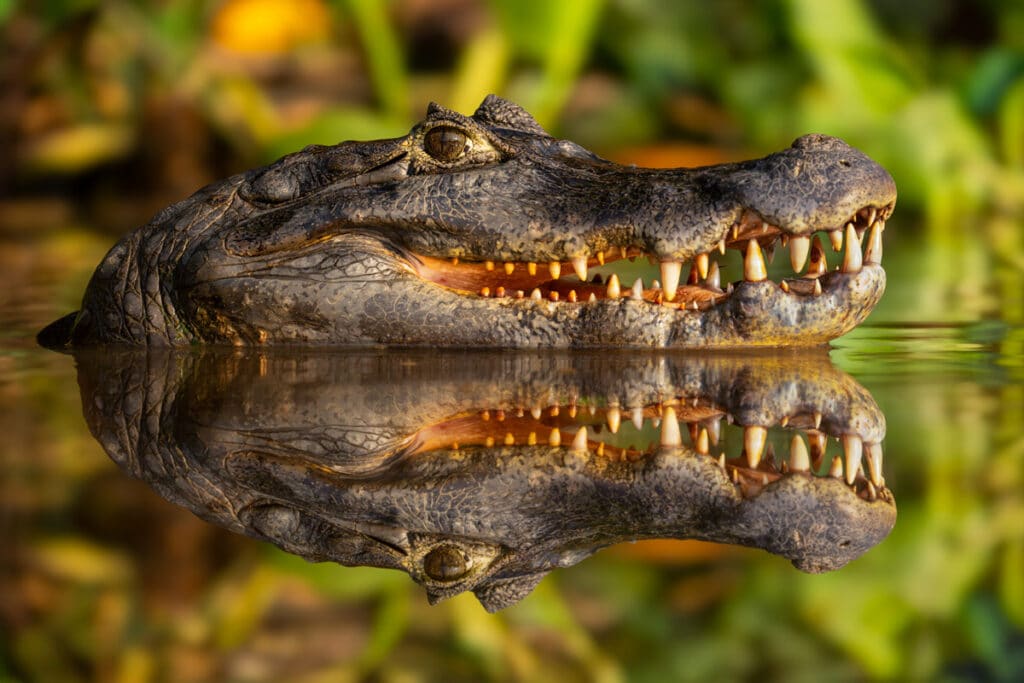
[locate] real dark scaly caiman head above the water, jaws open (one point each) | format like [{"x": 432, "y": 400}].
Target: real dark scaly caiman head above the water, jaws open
[{"x": 485, "y": 231}]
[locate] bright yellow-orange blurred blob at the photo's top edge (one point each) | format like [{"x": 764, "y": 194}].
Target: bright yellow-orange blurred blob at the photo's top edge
[{"x": 270, "y": 27}]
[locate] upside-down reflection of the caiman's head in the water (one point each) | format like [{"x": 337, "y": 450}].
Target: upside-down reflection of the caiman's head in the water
[{"x": 447, "y": 467}]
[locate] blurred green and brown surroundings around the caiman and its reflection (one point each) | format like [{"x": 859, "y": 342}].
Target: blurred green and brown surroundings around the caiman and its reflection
[{"x": 111, "y": 110}]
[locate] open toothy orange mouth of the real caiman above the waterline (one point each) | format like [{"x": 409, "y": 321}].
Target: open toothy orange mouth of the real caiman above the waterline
[{"x": 752, "y": 235}]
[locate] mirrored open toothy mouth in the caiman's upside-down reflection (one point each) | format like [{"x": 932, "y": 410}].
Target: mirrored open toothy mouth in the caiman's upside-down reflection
[{"x": 635, "y": 434}]
